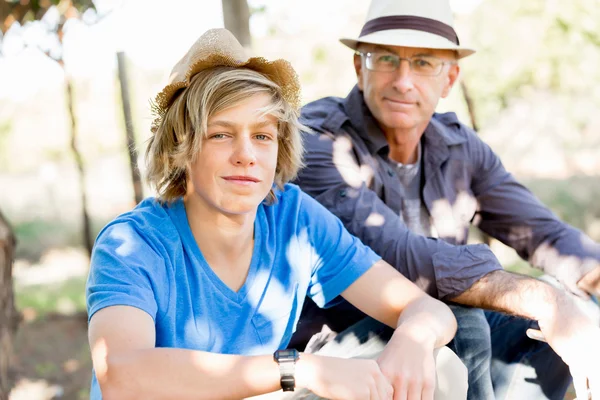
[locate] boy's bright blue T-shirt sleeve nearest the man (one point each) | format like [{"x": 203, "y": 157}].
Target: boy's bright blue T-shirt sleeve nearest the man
[{"x": 340, "y": 257}]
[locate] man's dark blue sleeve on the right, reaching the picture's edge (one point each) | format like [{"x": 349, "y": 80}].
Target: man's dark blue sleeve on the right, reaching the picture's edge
[{"x": 510, "y": 213}]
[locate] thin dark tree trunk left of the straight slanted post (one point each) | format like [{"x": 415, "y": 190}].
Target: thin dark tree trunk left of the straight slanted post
[{"x": 87, "y": 234}]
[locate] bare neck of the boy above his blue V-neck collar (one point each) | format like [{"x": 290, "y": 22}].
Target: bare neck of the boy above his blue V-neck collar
[{"x": 222, "y": 238}]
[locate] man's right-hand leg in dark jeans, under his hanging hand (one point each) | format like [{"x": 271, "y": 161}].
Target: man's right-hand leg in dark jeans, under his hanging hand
[{"x": 523, "y": 368}]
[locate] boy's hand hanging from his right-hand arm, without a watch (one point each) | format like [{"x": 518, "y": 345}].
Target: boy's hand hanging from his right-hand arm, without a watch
[{"x": 408, "y": 363}]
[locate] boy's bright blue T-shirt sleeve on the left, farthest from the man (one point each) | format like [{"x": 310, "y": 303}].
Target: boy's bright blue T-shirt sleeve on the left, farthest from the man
[{"x": 125, "y": 270}]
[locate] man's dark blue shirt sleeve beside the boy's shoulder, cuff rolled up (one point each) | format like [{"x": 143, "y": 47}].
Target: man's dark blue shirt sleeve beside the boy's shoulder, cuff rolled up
[{"x": 442, "y": 270}]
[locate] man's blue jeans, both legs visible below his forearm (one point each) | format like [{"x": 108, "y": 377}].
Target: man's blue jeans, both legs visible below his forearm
[{"x": 503, "y": 363}]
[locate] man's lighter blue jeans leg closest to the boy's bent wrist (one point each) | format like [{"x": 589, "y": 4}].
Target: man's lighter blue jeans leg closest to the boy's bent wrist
[{"x": 473, "y": 346}]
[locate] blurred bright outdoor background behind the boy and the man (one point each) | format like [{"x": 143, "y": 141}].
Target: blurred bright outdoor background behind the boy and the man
[{"x": 76, "y": 78}]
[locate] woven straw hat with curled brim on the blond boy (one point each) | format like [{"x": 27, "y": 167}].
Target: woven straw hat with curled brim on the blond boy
[{"x": 218, "y": 47}]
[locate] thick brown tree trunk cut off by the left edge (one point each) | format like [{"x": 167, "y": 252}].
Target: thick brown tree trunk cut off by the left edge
[{"x": 8, "y": 314}]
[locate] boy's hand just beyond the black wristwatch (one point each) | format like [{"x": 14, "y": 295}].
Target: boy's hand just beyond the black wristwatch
[{"x": 342, "y": 379}]
